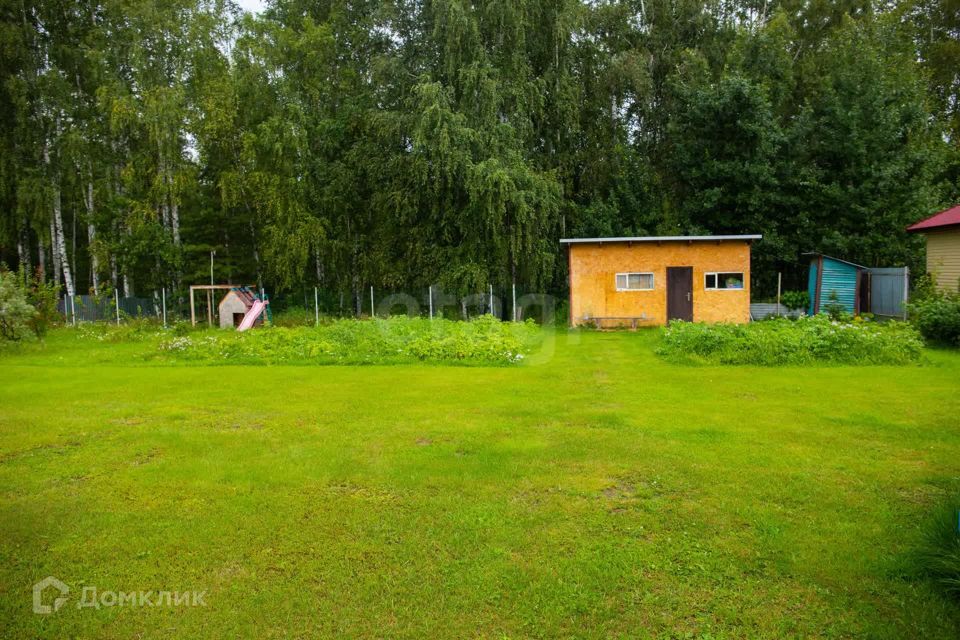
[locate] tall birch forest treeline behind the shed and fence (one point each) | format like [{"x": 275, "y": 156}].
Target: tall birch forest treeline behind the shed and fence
[{"x": 401, "y": 143}]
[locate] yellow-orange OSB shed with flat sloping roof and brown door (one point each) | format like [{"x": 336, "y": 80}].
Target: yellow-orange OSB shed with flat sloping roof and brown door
[{"x": 651, "y": 280}]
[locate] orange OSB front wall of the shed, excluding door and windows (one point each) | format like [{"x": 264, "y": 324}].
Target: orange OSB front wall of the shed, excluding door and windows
[{"x": 593, "y": 269}]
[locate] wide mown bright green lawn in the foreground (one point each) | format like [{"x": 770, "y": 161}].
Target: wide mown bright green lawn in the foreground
[{"x": 594, "y": 492}]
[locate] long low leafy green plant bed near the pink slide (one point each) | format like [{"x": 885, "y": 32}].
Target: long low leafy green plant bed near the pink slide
[{"x": 485, "y": 340}]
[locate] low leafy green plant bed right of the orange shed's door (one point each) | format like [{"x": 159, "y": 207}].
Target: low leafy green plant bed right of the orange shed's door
[{"x": 808, "y": 340}]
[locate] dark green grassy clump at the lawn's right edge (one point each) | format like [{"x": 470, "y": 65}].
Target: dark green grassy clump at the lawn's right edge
[{"x": 939, "y": 554}]
